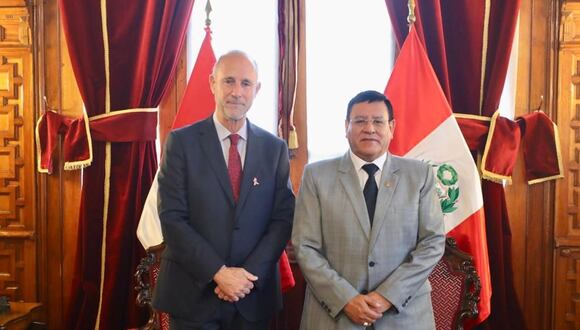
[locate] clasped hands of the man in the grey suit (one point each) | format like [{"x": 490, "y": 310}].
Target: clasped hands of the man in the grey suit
[{"x": 365, "y": 309}]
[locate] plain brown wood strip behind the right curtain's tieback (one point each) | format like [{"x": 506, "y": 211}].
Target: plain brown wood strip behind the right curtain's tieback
[{"x": 530, "y": 207}]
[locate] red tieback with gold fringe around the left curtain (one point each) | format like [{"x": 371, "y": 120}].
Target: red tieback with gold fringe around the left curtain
[{"x": 129, "y": 125}]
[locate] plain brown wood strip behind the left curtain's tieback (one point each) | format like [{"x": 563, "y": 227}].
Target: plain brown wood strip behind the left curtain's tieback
[{"x": 60, "y": 191}]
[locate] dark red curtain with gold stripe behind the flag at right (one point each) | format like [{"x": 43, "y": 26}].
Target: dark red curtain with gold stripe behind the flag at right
[{"x": 454, "y": 34}]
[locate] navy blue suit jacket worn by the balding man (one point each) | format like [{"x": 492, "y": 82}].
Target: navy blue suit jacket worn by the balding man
[{"x": 204, "y": 229}]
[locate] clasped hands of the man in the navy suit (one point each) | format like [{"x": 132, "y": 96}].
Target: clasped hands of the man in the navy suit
[{"x": 233, "y": 283}]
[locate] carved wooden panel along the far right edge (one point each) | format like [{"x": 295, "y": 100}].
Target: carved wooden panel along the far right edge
[{"x": 566, "y": 313}]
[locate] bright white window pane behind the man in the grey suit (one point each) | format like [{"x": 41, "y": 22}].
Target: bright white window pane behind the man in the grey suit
[{"x": 349, "y": 48}]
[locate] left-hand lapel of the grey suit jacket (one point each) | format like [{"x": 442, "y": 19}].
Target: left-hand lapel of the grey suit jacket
[{"x": 351, "y": 185}]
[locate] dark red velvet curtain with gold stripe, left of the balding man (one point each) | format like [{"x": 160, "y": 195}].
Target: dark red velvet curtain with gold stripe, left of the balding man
[{"x": 133, "y": 59}]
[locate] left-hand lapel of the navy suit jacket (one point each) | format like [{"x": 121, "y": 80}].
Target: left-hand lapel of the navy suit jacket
[{"x": 212, "y": 149}]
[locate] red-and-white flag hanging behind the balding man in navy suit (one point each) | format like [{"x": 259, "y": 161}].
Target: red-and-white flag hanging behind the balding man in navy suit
[{"x": 197, "y": 104}]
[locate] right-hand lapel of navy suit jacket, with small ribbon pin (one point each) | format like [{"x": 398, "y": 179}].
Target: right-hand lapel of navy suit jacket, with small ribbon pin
[{"x": 251, "y": 166}]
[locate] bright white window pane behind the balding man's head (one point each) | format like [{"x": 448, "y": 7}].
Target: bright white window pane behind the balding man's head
[{"x": 250, "y": 26}]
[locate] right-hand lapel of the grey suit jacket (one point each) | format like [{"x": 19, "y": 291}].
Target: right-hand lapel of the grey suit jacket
[{"x": 389, "y": 182}]
